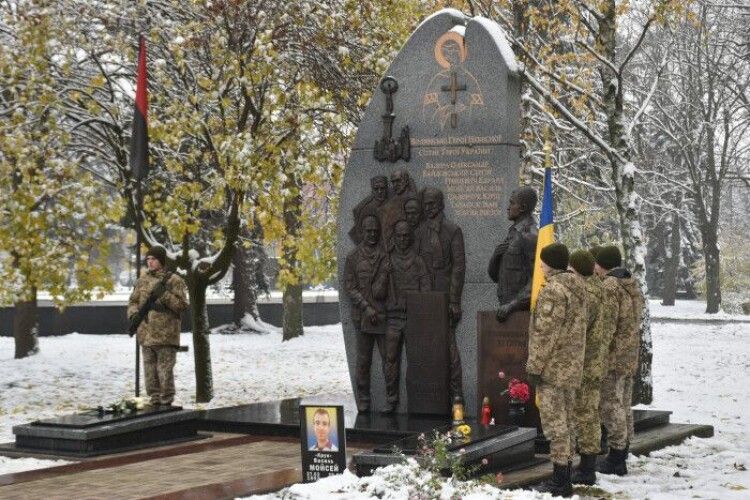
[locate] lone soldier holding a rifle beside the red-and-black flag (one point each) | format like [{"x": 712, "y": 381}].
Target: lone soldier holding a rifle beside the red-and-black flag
[{"x": 159, "y": 333}]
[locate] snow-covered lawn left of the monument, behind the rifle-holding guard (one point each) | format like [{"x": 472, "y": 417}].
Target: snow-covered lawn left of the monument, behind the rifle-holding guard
[{"x": 76, "y": 371}]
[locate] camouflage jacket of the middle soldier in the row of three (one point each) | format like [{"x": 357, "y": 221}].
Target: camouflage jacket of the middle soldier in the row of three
[{"x": 601, "y": 310}]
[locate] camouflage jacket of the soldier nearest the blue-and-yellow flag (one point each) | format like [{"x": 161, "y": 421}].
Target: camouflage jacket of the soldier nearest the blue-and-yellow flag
[{"x": 557, "y": 333}]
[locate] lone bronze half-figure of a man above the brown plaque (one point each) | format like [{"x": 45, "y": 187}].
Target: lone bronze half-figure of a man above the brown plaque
[{"x": 512, "y": 263}]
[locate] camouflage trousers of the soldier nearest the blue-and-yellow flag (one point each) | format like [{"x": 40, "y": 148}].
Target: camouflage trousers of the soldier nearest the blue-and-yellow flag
[{"x": 556, "y": 411}]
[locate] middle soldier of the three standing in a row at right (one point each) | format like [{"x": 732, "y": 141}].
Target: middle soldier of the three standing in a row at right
[{"x": 599, "y": 330}]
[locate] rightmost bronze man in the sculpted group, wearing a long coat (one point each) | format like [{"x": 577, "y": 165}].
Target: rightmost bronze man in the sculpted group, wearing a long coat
[{"x": 441, "y": 246}]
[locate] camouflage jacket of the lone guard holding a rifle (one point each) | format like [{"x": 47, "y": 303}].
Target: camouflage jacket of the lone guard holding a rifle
[{"x": 162, "y": 325}]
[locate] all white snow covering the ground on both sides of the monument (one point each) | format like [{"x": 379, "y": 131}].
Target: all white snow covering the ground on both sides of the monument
[{"x": 700, "y": 373}]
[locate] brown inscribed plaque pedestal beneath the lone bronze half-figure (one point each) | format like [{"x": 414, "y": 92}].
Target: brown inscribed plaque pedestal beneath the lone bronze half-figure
[{"x": 503, "y": 347}]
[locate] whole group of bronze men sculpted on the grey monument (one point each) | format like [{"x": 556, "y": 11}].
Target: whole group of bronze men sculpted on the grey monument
[{"x": 404, "y": 244}]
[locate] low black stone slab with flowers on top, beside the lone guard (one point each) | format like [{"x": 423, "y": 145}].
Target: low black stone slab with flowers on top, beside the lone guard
[{"x": 88, "y": 434}]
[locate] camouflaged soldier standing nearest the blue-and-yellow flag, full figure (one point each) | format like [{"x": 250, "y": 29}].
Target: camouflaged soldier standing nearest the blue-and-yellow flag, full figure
[{"x": 557, "y": 337}]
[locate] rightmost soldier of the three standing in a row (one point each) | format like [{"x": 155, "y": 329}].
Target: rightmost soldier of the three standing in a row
[{"x": 617, "y": 387}]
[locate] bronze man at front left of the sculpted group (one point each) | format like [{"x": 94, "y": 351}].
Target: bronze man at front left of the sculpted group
[{"x": 365, "y": 281}]
